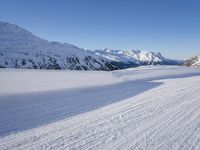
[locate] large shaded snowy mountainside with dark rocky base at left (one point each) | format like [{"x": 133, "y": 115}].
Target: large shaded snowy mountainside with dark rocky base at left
[{"x": 21, "y": 49}]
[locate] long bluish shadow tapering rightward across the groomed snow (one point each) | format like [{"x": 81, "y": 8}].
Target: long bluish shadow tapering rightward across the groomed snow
[{"x": 25, "y": 111}]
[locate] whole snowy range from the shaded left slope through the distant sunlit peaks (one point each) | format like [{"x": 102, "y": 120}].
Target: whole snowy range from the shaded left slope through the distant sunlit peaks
[{"x": 21, "y": 49}]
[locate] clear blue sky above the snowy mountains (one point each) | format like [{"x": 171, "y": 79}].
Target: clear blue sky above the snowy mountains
[{"x": 169, "y": 26}]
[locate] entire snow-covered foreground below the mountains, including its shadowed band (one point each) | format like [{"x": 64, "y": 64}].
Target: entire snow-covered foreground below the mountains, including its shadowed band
[{"x": 153, "y": 107}]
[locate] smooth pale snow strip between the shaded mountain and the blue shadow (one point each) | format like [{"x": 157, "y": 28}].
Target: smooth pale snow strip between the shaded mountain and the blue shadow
[{"x": 15, "y": 81}]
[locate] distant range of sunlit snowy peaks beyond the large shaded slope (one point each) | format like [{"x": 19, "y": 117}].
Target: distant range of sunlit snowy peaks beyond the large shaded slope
[{"x": 136, "y": 57}]
